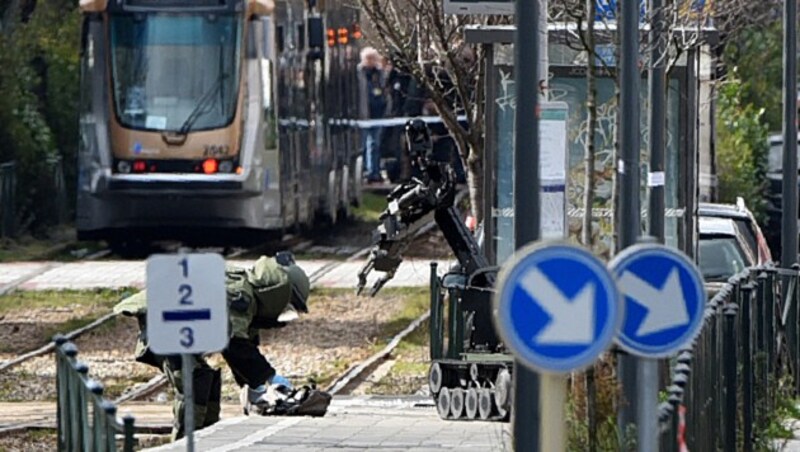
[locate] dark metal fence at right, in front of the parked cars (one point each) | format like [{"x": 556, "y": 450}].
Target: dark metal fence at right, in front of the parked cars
[{"x": 726, "y": 386}]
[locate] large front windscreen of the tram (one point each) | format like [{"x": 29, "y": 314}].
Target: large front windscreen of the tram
[{"x": 175, "y": 72}]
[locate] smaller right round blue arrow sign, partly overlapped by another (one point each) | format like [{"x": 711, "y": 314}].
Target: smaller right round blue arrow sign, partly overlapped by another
[{"x": 664, "y": 299}]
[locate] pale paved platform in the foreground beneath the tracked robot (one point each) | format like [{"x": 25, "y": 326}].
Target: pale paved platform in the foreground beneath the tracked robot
[{"x": 354, "y": 424}]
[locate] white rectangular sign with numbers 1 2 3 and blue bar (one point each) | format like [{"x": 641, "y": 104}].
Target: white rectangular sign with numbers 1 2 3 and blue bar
[{"x": 187, "y": 310}]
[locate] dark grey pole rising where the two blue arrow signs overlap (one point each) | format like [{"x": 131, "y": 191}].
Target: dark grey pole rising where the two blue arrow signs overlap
[{"x": 629, "y": 210}]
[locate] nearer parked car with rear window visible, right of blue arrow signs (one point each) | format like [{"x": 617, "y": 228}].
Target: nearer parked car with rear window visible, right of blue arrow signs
[{"x": 723, "y": 251}]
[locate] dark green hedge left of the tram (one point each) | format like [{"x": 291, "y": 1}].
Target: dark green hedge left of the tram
[{"x": 38, "y": 105}]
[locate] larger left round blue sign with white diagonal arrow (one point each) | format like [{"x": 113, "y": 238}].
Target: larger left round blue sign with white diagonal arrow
[{"x": 556, "y": 307}]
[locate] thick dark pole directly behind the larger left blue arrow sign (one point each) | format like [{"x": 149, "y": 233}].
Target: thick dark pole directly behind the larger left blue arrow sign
[{"x": 526, "y": 415}]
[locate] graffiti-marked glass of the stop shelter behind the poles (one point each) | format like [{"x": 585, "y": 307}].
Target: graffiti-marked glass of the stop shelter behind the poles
[{"x": 567, "y": 83}]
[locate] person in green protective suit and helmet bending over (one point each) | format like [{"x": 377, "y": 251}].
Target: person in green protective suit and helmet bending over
[{"x": 257, "y": 298}]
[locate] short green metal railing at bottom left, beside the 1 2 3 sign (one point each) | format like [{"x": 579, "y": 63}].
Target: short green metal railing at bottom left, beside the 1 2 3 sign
[{"x": 86, "y": 420}]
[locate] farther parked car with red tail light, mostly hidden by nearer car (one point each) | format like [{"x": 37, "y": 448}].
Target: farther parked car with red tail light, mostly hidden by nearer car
[{"x": 745, "y": 224}]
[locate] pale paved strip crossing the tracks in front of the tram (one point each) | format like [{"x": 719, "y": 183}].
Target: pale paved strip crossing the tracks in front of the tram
[{"x": 115, "y": 274}]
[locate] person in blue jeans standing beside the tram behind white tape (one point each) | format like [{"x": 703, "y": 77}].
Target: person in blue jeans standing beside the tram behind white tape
[{"x": 373, "y": 105}]
